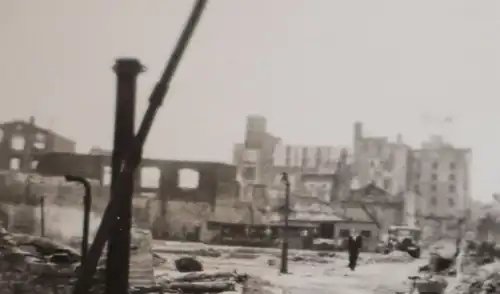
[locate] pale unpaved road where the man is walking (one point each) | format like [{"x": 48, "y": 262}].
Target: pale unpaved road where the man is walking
[{"x": 305, "y": 277}]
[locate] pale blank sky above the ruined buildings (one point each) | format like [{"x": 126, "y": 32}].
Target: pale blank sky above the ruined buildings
[{"x": 311, "y": 67}]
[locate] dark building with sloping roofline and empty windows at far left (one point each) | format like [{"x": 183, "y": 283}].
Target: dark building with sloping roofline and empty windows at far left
[{"x": 21, "y": 141}]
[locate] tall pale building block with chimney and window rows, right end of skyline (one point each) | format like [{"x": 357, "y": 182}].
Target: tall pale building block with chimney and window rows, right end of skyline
[{"x": 437, "y": 173}]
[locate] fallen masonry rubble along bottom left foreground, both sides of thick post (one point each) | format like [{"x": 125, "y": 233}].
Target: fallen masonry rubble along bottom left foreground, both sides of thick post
[{"x": 32, "y": 264}]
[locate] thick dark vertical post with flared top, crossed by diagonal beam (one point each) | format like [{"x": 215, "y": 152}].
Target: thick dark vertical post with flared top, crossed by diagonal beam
[{"x": 117, "y": 266}]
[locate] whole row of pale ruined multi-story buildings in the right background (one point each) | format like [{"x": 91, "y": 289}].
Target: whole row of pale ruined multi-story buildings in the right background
[{"x": 433, "y": 181}]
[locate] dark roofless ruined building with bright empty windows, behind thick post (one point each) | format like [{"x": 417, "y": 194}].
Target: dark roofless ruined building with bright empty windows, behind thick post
[{"x": 182, "y": 194}]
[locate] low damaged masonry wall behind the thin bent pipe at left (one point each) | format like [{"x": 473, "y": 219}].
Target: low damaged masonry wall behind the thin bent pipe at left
[{"x": 20, "y": 199}]
